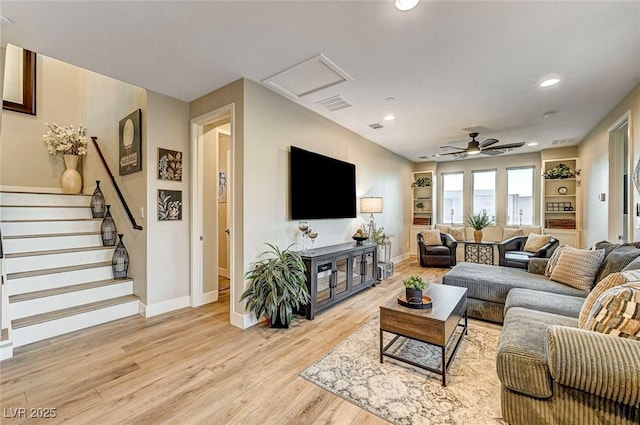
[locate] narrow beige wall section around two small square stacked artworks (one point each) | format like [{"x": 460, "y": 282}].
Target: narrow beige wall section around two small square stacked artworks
[{"x": 167, "y": 242}]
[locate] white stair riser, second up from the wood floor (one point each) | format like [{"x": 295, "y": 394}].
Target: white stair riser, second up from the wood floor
[{"x": 71, "y": 299}]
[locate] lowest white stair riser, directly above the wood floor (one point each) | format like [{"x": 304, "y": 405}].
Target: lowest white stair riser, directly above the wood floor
[{"x": 40, "y": 331}]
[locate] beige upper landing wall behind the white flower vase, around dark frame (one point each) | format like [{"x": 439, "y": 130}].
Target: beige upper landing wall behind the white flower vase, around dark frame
[{"x": 24, "y": 160}]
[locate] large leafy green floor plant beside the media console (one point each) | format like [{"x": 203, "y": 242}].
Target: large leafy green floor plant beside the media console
[{"x": 278, "y": 285}]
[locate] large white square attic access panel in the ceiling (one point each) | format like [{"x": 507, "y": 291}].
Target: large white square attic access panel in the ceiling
[{"x": 315, "y": 74}]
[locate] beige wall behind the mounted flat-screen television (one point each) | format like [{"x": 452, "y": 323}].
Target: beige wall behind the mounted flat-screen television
[{"x": 274, "y": 123}]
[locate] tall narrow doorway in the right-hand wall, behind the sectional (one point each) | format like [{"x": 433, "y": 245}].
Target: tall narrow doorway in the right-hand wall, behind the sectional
[{"x": 620, "y": 183}]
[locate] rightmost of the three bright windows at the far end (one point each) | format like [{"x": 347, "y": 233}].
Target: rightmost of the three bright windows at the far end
[{"x": 520, "y": 196}]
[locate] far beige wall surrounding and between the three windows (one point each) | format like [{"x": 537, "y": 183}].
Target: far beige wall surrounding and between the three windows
[{"x": 498, "y": 163}]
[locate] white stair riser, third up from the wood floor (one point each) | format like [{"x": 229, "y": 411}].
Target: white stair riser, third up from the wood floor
[{"x": 57, "y": 280}]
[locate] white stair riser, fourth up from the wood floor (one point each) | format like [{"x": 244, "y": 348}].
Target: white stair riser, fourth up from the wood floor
[{"x": 39, "y": 262}]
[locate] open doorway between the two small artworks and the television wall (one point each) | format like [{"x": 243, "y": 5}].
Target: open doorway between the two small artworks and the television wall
[{"x": 212, "y": 241}]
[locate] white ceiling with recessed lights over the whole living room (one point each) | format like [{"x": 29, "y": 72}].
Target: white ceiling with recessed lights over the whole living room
[{"x": 449, "y": 65}]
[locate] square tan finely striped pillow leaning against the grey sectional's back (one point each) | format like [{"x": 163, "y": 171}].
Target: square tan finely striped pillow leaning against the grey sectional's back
[{"x": 577, "y": 267}]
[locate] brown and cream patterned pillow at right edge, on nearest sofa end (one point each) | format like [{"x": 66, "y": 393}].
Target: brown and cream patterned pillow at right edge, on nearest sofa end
[{"x": 617, "y": 312}]
